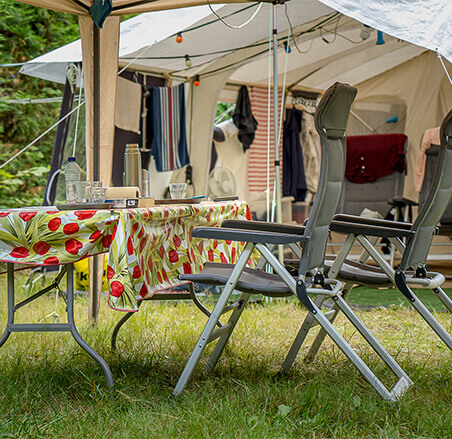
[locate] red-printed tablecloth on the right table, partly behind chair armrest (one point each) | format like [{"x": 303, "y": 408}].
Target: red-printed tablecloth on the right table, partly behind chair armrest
[{"x": 152, "y": 246}]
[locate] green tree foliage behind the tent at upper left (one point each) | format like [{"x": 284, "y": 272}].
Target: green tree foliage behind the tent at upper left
[{"x": 25, "y": 33}]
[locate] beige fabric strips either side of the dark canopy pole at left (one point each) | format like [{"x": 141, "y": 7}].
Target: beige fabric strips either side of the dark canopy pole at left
[{"x": 109, "y": 42}]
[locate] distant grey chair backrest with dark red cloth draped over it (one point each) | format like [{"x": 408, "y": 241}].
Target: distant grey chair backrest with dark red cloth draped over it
[{"x": 373, "y": 191}]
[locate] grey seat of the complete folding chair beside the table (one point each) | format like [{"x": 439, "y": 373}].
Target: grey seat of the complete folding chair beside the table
[{"x": 251, "y": 281}]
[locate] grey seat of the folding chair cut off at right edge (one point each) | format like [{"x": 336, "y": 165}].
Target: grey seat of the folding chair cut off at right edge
[{"x": 359, "y": 272}]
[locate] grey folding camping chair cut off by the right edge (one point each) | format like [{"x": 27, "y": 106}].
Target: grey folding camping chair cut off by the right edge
[{"x": 417, "y": 236}]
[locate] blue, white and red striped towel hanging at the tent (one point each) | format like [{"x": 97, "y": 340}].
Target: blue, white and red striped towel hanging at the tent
[{"x": 169, "y": 144}]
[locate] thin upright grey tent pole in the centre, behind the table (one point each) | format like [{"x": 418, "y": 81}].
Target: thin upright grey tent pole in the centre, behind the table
[{"x": 276, "y": 118}]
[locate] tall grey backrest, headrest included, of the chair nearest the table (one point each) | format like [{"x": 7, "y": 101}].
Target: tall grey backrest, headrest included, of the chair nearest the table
[{"x": 331, "y": 122}]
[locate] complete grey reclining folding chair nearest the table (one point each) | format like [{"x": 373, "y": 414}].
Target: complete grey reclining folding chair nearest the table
[{"x": 331, "y": 120}]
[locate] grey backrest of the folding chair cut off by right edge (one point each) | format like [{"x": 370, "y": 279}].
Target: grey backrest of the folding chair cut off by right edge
[{"x": 417, "y": 248}]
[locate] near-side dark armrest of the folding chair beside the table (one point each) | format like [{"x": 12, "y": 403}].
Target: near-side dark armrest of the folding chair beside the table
[{"x": 246, "y": 235}]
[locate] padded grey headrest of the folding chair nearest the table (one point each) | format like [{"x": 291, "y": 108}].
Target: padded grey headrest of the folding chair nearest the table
[{"x": 333, "y": 110}]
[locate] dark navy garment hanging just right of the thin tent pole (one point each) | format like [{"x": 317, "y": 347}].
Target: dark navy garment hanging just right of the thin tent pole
[{"x": 294, "y": 182}]
